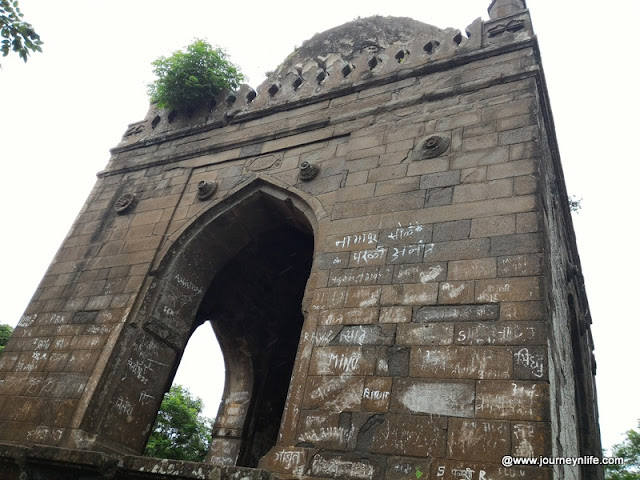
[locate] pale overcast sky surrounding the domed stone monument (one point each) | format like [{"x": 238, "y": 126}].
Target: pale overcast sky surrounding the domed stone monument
[{"x": 61, "y": 112}]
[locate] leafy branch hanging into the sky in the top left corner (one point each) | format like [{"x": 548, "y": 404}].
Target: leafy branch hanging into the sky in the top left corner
[{"x": 17, "y": 35}]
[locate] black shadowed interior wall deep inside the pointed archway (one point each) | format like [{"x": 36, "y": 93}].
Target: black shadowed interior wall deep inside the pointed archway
[{"x": 254, "y": 305}]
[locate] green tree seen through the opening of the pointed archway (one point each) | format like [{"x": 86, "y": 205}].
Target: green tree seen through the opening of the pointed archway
[{"x": 181, "y": 432}]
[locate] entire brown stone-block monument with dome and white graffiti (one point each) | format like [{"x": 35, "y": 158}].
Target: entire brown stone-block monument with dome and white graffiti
[{"x": 443, "y": 321}]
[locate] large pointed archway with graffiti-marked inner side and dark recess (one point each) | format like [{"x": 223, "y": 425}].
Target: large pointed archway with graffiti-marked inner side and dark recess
[{"x": 261, "y": 238}]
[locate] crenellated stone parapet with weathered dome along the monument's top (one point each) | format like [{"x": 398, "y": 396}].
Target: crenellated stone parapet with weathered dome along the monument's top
[{"x": 342, "y": 60}]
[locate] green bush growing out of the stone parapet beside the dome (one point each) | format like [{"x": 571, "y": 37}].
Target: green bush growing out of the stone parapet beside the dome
[{"x": 188, "y": 79}]
